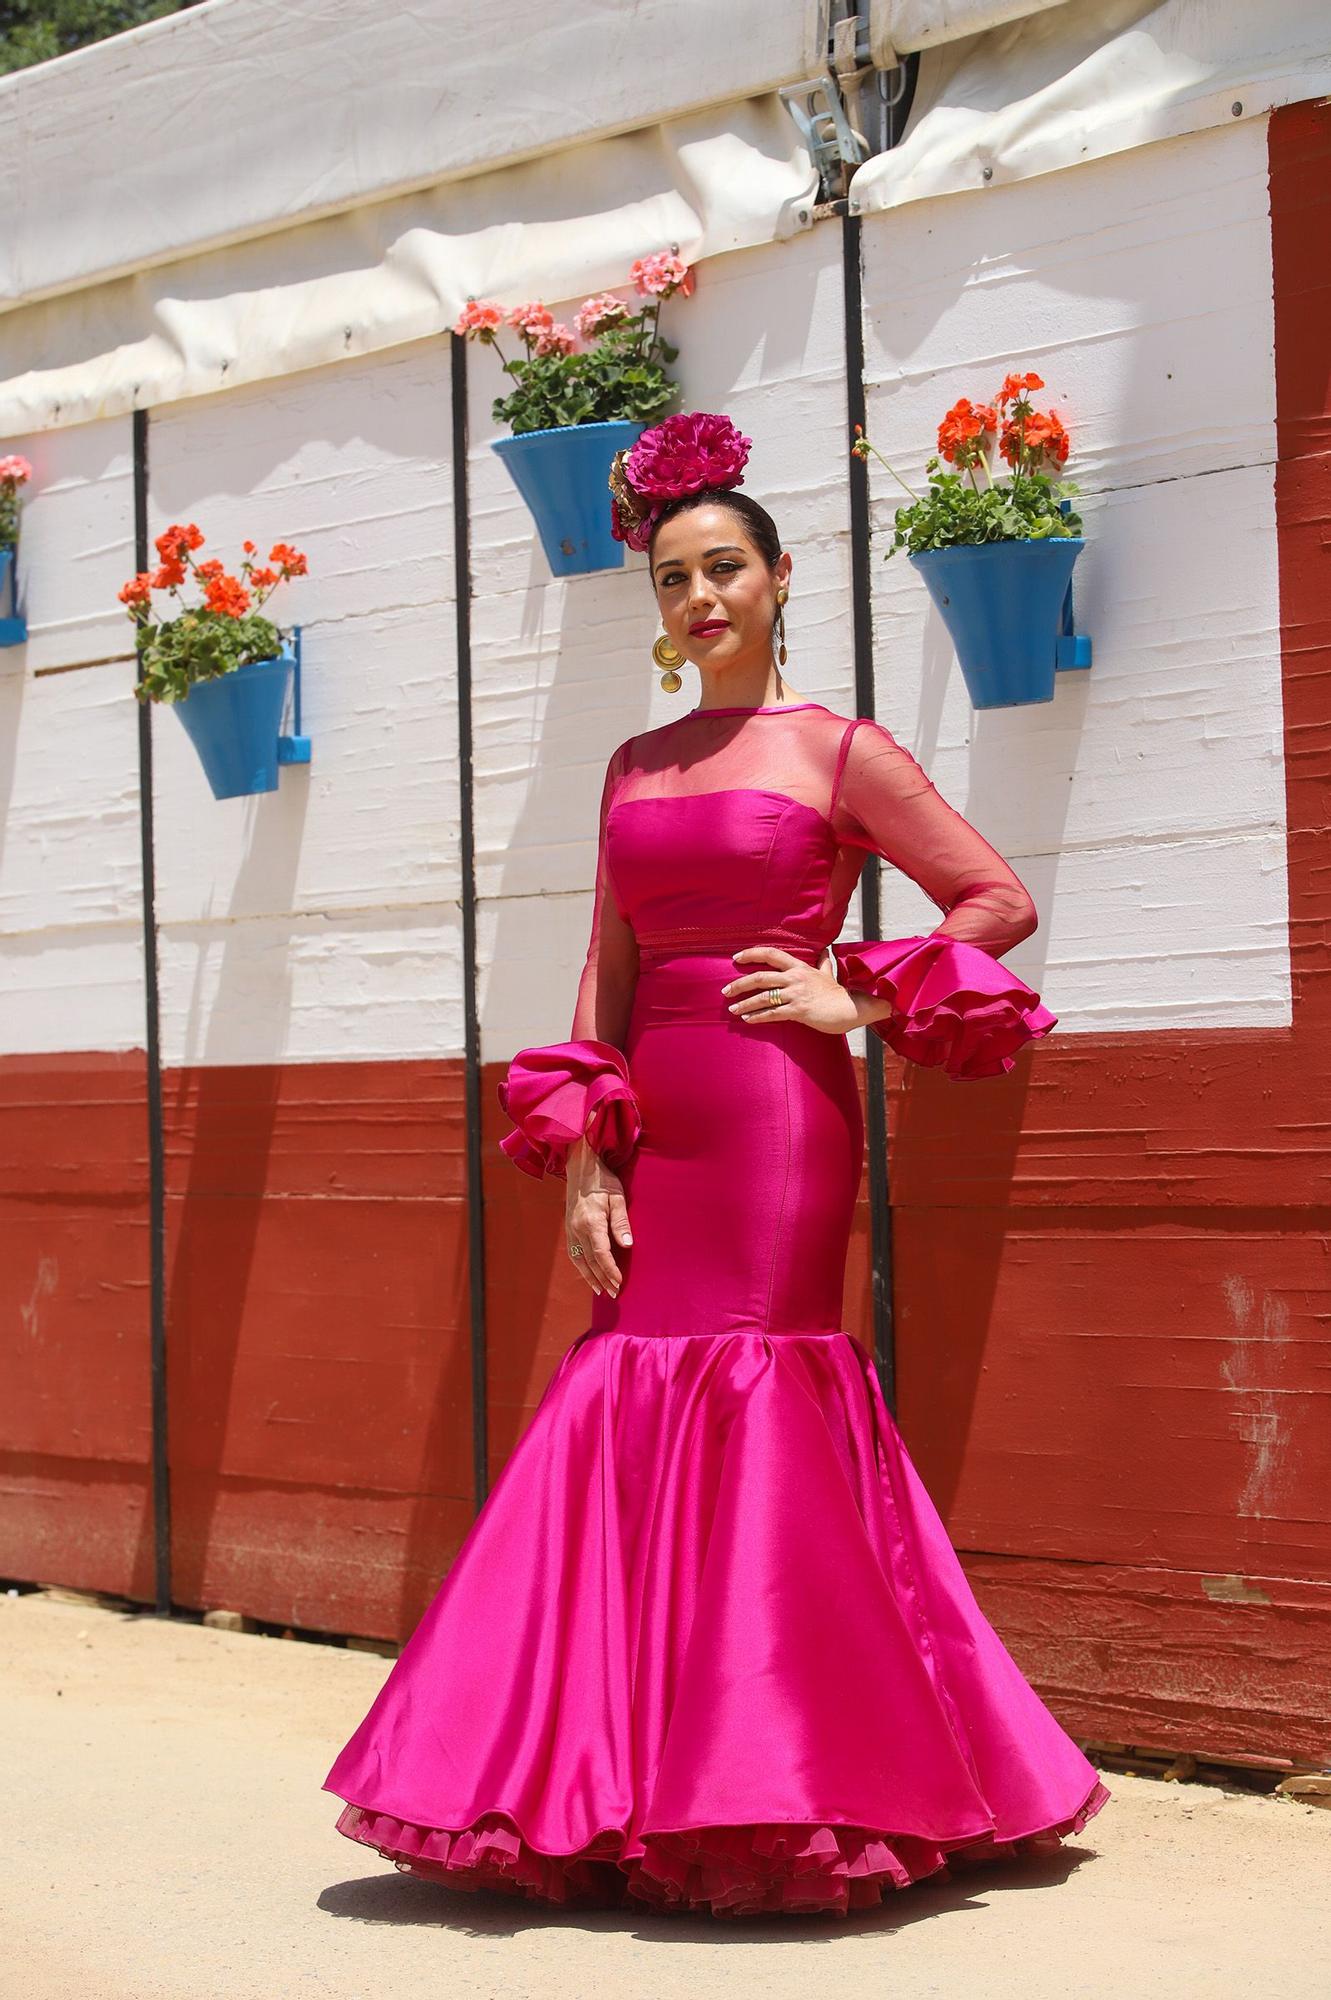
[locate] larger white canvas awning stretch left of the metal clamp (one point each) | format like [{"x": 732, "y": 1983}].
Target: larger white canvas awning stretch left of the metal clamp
[{"x": 245, "y": 191}]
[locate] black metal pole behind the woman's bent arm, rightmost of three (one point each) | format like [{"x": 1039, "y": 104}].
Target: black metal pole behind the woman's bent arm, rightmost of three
[{"x": 870, "y": 881}]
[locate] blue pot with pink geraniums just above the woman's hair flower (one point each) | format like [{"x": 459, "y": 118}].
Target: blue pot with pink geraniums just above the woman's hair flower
[{"x": 573, "y": 409}]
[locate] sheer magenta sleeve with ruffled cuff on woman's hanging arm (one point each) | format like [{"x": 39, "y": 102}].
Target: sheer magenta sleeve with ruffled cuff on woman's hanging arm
[{"x": 583, "y": 1089}]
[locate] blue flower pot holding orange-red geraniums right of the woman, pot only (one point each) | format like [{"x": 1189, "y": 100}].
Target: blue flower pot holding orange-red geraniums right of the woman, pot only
[{"x": 1008, "y": 611}]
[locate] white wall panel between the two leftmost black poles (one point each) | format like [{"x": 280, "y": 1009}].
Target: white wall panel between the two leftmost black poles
[{"x": 323, "y": 921}]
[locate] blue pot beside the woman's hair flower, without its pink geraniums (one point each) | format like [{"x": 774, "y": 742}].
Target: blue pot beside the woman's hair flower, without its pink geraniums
[{"x": 563, "y": 475}]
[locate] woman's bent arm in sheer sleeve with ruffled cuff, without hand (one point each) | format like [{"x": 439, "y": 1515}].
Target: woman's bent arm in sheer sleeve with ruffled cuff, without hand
[{"x": 938, "y": 999}]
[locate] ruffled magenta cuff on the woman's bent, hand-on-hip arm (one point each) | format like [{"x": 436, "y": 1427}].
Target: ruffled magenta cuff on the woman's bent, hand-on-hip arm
[{"x": 954, "y": 1007}]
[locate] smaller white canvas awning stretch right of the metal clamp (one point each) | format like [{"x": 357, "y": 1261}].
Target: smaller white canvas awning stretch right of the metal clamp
[{"x": 1080, "y": 79}]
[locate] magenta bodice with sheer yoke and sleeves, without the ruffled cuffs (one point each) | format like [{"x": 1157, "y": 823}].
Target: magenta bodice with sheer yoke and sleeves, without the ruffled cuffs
[{"x": 740, "y": 827}]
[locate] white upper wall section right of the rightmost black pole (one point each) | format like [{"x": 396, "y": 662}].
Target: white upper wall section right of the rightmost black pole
[{"x": 1146, "y": 805}]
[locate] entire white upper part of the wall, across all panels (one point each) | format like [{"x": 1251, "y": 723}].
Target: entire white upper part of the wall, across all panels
[{"x": 1144, "y": 807}]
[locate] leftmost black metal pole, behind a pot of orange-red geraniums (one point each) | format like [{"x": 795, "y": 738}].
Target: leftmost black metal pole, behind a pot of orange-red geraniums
[{"x": 153, "y": 1047}]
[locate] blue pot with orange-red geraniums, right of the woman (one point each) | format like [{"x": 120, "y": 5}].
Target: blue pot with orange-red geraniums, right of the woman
[{"x": 998, "y": 553}]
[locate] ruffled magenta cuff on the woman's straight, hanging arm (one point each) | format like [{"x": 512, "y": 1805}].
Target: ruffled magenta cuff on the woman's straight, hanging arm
[{"x": 565, "y": 1093}]
